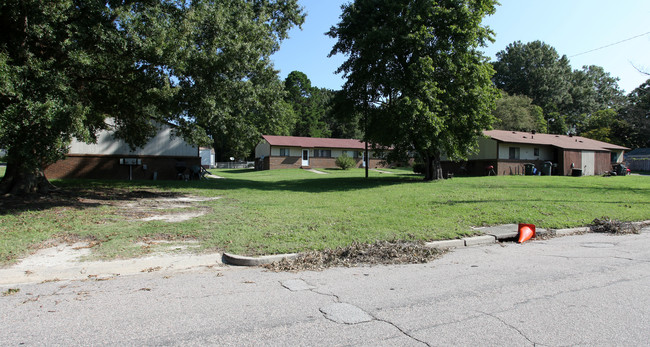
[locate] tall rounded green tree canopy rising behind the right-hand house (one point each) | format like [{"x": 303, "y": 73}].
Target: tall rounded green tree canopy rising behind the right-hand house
[{"x": 568, "y": 98}]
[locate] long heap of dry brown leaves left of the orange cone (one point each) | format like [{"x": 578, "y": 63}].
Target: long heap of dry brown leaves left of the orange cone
[{"x": 360, "y": 254}]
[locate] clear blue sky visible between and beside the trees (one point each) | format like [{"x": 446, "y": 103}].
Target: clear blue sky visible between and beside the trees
[{"x": 571, "y": 26}]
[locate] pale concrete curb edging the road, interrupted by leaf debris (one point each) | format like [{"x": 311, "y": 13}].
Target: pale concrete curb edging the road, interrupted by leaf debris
[{"x": 500, "y": 233}]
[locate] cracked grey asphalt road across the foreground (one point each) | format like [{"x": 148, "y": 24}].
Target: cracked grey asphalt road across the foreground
[{"x": 576, "y": 290}]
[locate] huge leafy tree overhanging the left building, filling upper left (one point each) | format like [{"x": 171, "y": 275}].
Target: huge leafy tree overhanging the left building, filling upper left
[{"x": 66, "y": 66}]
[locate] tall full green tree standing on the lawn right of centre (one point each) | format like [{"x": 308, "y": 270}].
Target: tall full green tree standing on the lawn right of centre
[{"x": 416, "y": 75}]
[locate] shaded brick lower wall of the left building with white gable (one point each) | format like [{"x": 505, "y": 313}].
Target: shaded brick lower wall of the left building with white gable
[{"x": 108, "y": 167}]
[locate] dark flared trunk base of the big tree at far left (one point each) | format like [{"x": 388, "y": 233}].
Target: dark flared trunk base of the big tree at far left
[{"x": 20, "y": 181}]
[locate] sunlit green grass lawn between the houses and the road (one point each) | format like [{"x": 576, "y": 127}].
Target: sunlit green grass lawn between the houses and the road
[{"x": 262, "y": 212}]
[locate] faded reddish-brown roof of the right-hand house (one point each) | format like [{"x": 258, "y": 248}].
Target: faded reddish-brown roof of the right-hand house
[{"x": 561, "y": 141}]
